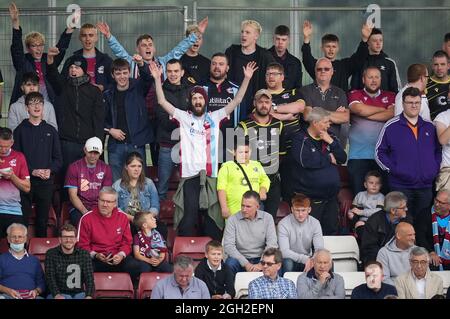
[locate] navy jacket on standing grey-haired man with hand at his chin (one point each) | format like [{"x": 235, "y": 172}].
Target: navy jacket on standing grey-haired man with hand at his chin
[{"x": 313, "y": 174}]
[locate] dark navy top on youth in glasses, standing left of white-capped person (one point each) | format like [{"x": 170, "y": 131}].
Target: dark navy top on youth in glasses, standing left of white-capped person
[{"x": 40, "y": 145}]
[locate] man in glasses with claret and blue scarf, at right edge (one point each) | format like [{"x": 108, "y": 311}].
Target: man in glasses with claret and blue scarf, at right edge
[{"x": 433, "y": 231}]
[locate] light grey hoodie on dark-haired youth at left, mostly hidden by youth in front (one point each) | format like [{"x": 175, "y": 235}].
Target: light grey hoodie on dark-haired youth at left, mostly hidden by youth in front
[{"x": 18, "y": 112}]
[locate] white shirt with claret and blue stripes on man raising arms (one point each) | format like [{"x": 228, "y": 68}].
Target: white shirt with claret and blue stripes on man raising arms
[{"x": 199, "y": 141}]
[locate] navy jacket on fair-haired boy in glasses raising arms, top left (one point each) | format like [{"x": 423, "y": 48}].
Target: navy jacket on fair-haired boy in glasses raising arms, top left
[{"x": 24, "y": 62}]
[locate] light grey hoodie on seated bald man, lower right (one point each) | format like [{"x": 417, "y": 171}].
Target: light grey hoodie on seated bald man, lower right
[{"x": 395, "y": 261}]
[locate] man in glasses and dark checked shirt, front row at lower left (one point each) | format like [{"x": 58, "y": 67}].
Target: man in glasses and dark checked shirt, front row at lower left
[{"x": 68, "y": 269}]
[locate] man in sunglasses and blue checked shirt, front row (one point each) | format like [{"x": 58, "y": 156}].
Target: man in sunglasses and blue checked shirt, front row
[{"x": 271, "y": 285}]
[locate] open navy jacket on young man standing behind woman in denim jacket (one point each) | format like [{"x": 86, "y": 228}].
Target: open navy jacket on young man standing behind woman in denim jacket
[{"x": 135, "y": 109}]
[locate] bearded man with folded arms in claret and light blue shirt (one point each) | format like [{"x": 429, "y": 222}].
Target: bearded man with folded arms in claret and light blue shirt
[{"x": 370, "y": 108}]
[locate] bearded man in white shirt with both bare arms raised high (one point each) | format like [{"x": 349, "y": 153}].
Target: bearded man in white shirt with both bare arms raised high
[{"x": 199, "y": 141}]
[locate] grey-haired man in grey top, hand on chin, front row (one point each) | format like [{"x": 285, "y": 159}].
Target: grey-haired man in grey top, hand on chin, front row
[{"x": 320, "y": 282}]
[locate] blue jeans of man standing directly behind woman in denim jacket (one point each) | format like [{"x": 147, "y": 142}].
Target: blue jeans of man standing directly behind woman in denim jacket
[{"x": 117, "y": 155}]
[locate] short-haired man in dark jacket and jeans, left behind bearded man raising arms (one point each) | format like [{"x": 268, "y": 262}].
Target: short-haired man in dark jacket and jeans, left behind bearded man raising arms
[{"x": 176, "y": 89}]
